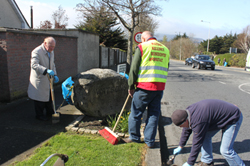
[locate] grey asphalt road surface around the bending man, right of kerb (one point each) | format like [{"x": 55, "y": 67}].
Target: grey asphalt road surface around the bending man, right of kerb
[{"x": 186, "y": 86}]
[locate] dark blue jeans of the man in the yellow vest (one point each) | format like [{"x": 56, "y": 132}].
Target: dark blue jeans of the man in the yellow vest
[{"x": 141, "y": 100}]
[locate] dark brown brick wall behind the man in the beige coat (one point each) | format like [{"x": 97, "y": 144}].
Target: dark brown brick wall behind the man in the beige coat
[{"x": 15, "y": 53}]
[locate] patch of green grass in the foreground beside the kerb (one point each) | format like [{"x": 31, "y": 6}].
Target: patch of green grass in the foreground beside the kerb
[{"x": 89, "y": 150}]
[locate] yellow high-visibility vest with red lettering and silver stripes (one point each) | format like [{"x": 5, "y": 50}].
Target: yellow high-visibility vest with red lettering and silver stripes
[{"x": 154, "y": 63}]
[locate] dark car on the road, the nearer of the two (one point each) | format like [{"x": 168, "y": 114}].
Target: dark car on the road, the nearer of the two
[{"x": 203, "y": 61}]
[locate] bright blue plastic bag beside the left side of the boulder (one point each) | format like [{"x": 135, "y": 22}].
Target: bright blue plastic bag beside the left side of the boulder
[{"x": 67, "y": 89}]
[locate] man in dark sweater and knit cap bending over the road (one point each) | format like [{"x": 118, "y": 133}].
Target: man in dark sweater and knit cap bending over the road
[{"x": 205, "y": 118}]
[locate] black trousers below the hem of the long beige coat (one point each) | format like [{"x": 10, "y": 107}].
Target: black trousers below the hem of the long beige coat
[{"x": 40, "y": 106}]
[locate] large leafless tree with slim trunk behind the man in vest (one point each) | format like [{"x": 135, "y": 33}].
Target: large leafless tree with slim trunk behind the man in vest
[{"x": 128, "y": 12}]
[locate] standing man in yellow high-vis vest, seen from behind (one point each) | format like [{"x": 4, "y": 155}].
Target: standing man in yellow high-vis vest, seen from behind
[{"x": 147, "y": 78}]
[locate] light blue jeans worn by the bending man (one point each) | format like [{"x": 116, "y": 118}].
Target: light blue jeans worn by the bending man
[{"x": 226, "y": 149}]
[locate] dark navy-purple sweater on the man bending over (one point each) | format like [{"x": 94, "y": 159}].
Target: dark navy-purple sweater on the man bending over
[{"x": 207, "y": 115}]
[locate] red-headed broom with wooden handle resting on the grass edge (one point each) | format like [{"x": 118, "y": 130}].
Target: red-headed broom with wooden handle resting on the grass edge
[{"x": 108, "y": 134}]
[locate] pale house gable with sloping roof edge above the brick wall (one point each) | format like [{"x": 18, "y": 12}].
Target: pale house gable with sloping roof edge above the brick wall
[{"x": 11, "y": 16}]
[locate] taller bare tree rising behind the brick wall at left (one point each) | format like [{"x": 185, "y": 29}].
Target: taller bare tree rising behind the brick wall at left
[{"x": 60, "y": 18}]
